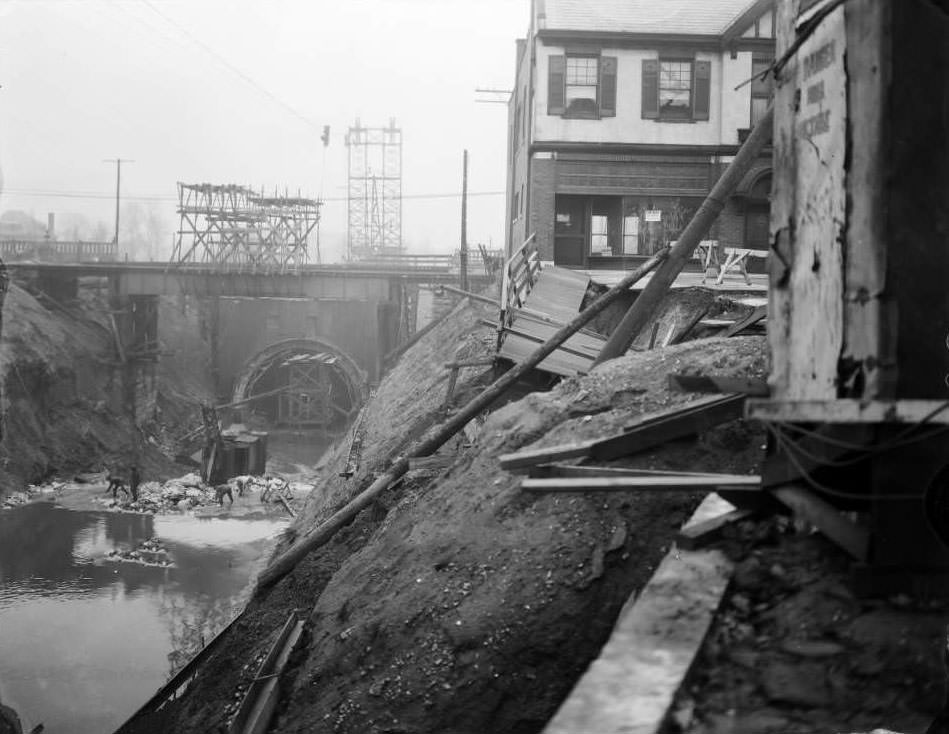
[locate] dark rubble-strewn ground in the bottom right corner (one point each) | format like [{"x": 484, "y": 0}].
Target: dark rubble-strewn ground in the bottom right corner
[{"x": 793, "y": 650}]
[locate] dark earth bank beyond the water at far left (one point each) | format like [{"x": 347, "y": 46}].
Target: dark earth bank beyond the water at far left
[{"x": 63, "y": 407}]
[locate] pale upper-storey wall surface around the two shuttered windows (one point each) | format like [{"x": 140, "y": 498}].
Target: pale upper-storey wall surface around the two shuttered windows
[{"x": 729, "y": 109}]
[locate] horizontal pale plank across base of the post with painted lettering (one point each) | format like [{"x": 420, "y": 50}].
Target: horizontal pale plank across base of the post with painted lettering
[{"x": 848, "y": 411}]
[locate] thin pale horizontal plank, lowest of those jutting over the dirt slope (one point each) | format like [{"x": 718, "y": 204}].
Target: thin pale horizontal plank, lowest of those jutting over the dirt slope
[{"x": 643, "y": 484}]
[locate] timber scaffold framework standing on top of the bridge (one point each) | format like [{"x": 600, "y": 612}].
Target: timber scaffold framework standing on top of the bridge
[{"x": 232, "y": 226}]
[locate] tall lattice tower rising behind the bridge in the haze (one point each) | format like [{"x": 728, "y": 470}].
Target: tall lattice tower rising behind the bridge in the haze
[{"x": 375, "y": 190}]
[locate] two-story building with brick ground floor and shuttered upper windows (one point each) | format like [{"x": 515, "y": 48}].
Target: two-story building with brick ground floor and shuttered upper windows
[{"x": 624, "y": 114}]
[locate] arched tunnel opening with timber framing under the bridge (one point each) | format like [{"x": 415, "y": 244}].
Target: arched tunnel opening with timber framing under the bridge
[{"x": 320, "y": 363}]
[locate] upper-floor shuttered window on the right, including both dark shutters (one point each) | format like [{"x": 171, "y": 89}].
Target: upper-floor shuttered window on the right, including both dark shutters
[{"x": 677, "y": 90}]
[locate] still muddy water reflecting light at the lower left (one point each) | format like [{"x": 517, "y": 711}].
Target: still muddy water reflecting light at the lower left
[{"x": 84, "y": 641}]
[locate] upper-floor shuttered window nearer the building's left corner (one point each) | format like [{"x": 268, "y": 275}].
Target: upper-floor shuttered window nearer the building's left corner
[{"x": 581, "y": 86}]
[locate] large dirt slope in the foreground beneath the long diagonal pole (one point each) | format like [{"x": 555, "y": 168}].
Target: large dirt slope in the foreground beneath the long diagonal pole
[{"x": 459, "y": 604}]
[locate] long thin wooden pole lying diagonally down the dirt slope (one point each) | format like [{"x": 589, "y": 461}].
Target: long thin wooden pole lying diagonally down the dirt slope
[{"x": 285, "y": 563}]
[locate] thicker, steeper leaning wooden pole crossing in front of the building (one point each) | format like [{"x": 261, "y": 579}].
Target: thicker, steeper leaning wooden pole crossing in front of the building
[{"x": 645, "y": 305}]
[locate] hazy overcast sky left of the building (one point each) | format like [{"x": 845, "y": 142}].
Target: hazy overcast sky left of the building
[{"x": 237, "y": 91}]
